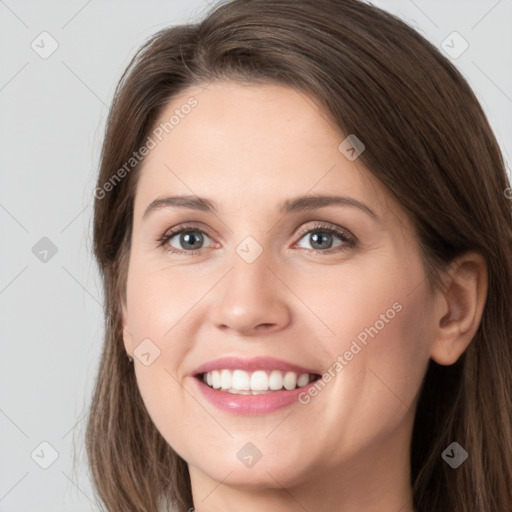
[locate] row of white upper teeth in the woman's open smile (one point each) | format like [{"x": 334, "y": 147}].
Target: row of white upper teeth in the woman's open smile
[{"x": 255, "y": 383}]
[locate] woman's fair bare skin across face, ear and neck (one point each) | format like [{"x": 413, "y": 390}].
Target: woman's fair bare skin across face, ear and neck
[{"x": 247, "y": 148}]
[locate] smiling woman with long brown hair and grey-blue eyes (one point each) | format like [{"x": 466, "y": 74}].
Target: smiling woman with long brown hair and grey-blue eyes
[{"x": 369, "y": 369}]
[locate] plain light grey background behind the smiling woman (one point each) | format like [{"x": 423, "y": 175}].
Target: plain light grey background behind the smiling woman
[{"x": 52, "y": 115}]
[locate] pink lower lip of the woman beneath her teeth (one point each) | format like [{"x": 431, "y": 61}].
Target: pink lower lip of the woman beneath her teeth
[{"x": 251, "y": 404}]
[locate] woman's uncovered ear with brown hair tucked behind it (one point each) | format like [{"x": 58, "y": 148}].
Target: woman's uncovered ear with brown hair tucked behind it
[{"x": 460, "y": 305}]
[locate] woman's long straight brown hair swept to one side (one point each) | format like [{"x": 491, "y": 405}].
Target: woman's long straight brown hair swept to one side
[{"x": 427, "y": 140}]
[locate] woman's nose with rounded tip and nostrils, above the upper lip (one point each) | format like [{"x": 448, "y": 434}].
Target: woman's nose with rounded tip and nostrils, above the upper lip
[{"x": 251, "y": 299}]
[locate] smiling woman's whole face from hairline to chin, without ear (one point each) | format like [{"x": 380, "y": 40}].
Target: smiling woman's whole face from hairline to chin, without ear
[{"x": 334, "y": 290}]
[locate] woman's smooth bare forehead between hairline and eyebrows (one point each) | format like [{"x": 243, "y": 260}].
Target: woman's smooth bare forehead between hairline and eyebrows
[{"x": 250, "y": 145}]
